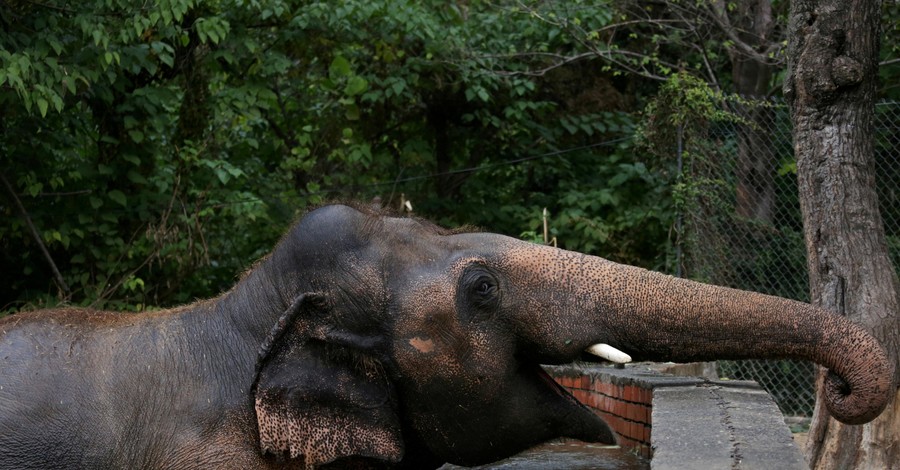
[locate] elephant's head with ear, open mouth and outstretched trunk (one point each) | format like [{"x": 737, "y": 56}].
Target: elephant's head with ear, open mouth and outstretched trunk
[{"x": 413, "y": 344}]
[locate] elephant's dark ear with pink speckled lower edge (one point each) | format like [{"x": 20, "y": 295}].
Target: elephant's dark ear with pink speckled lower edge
[{"x": 322, "y": 401}]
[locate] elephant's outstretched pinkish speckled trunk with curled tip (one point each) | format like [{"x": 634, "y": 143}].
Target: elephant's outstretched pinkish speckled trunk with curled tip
[{"x": 652, "y": 316}]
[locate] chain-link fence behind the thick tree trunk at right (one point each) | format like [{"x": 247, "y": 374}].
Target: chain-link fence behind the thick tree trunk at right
[{"x": 745, "y": 230}]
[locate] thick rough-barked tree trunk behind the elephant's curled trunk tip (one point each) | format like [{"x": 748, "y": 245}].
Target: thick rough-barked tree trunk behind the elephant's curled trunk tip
[{"x": 832, "y": 72}]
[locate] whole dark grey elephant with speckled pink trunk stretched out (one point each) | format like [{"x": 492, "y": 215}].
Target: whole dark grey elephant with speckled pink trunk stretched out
[{"x": 370, "y": 340}]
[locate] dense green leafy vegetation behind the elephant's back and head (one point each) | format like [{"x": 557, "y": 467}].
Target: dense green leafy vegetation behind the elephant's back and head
[{"x": 157, "y": 149}]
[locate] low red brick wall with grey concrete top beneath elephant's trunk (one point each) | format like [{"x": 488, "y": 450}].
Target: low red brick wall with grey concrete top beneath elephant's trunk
[{"x": 685, "y": 422}]
